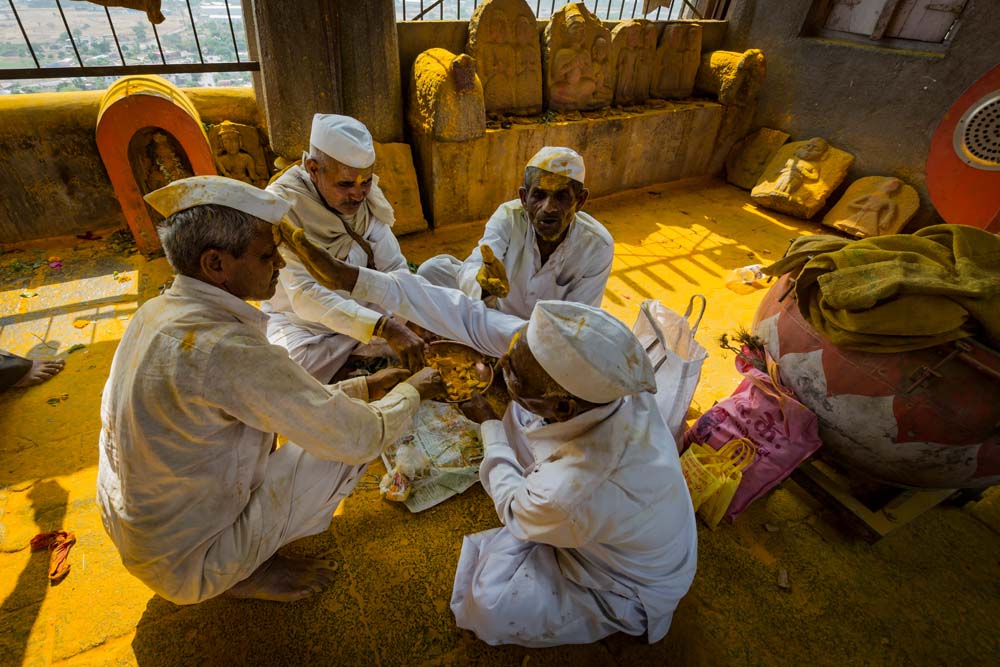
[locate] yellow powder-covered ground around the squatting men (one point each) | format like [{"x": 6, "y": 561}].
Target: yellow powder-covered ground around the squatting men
[{"x": 928, "y": 594}]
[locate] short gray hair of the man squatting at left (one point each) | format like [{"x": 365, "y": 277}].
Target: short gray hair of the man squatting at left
[{"x": 187, "y": 234}]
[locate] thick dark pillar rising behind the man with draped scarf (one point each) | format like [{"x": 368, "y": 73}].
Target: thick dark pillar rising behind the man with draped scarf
[{"x": 327, "y": 56}]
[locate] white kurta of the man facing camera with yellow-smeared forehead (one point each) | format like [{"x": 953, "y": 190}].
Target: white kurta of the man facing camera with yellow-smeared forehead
[{"x": 577, "y": 271}]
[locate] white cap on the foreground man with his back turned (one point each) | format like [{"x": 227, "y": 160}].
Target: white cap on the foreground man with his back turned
[{"x": 588, "y": 351}]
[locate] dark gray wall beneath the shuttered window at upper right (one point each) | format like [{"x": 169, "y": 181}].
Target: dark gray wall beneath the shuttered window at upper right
[{"x": 880, "y": 104}]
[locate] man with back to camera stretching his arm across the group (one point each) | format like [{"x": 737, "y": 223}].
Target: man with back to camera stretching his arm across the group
[{"x": 598, "y": 530}]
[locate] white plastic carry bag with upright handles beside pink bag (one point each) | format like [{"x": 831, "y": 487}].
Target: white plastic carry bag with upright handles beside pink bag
[{"x": 677, "y": 357}]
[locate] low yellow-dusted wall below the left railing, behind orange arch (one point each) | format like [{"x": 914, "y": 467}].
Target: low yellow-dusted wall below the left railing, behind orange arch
[{"x": 52, "y": 179}]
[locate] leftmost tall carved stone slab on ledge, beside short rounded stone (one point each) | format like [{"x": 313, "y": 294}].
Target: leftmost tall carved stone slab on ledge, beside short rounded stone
[{"x": 503, "y": 38}]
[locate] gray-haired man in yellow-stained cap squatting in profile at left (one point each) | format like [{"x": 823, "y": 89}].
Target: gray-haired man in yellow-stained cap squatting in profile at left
[{"x": 190, "y": 489}]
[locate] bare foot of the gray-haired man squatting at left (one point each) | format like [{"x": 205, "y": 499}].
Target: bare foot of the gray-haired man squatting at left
[{"x": 282, "y": 579}]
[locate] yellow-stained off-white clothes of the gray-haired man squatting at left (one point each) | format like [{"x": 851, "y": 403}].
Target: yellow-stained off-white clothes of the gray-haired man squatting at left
[{"x": 189, "y": 491}]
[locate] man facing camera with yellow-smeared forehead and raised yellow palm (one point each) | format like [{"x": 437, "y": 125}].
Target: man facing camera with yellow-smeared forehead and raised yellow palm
[{"x": 545, "y": 246}]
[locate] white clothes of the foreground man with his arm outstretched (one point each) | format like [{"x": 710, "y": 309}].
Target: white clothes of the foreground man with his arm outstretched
[{"x": 599, "y": 534}]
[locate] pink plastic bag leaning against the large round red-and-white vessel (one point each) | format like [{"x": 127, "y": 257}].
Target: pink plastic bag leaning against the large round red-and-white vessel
[{"x": 785, "y": 432}]
